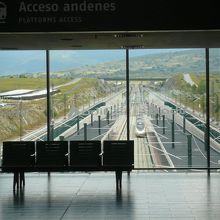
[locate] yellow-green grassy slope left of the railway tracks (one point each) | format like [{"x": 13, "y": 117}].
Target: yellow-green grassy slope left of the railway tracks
[{"x": 23, "y": 116}]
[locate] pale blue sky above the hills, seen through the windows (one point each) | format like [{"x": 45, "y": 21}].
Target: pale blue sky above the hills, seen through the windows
[{"x": 29, "y": 61}]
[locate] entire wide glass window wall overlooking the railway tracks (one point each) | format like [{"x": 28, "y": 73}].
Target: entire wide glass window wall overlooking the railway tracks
[{"x": 167, "y": 96}]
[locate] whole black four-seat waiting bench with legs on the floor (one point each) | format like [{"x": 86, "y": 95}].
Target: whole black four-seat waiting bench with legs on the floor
[{"x": 67, "y": 156}]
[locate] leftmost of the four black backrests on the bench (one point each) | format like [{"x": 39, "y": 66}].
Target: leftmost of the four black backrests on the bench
[{"x": 18, "y": 153}]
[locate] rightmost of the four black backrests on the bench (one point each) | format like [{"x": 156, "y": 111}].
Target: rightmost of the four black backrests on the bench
[{"x": 118, "y": 153}]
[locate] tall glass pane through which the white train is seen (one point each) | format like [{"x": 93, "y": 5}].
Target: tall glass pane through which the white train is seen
[{"x": 168, "y": 98}]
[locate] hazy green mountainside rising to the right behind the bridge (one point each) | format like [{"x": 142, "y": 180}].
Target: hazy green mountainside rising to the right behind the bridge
[{"x": 151, "y": 65}]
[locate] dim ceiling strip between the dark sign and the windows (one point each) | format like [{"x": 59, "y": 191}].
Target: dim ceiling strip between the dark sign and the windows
[{"x": 109, "y": 40}]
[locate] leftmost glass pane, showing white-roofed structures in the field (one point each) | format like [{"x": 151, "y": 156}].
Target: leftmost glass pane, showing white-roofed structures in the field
[{"x": 22, "y": 95}]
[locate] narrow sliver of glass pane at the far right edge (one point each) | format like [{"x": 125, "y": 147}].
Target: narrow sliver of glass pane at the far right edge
[{"x": 214, "y": 107}]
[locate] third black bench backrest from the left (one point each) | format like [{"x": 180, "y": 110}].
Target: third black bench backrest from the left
[{"x": 85, "y": 153}]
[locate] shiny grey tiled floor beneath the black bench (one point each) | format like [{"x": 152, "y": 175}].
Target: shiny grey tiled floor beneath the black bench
[{"x": 144, "y": 195}]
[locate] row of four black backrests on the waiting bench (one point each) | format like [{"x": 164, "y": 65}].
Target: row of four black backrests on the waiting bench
[{"x": 82, "y": 154}]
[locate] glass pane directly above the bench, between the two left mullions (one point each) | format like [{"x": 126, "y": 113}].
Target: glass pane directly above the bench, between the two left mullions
[{"x": 88, "y": 102}]
